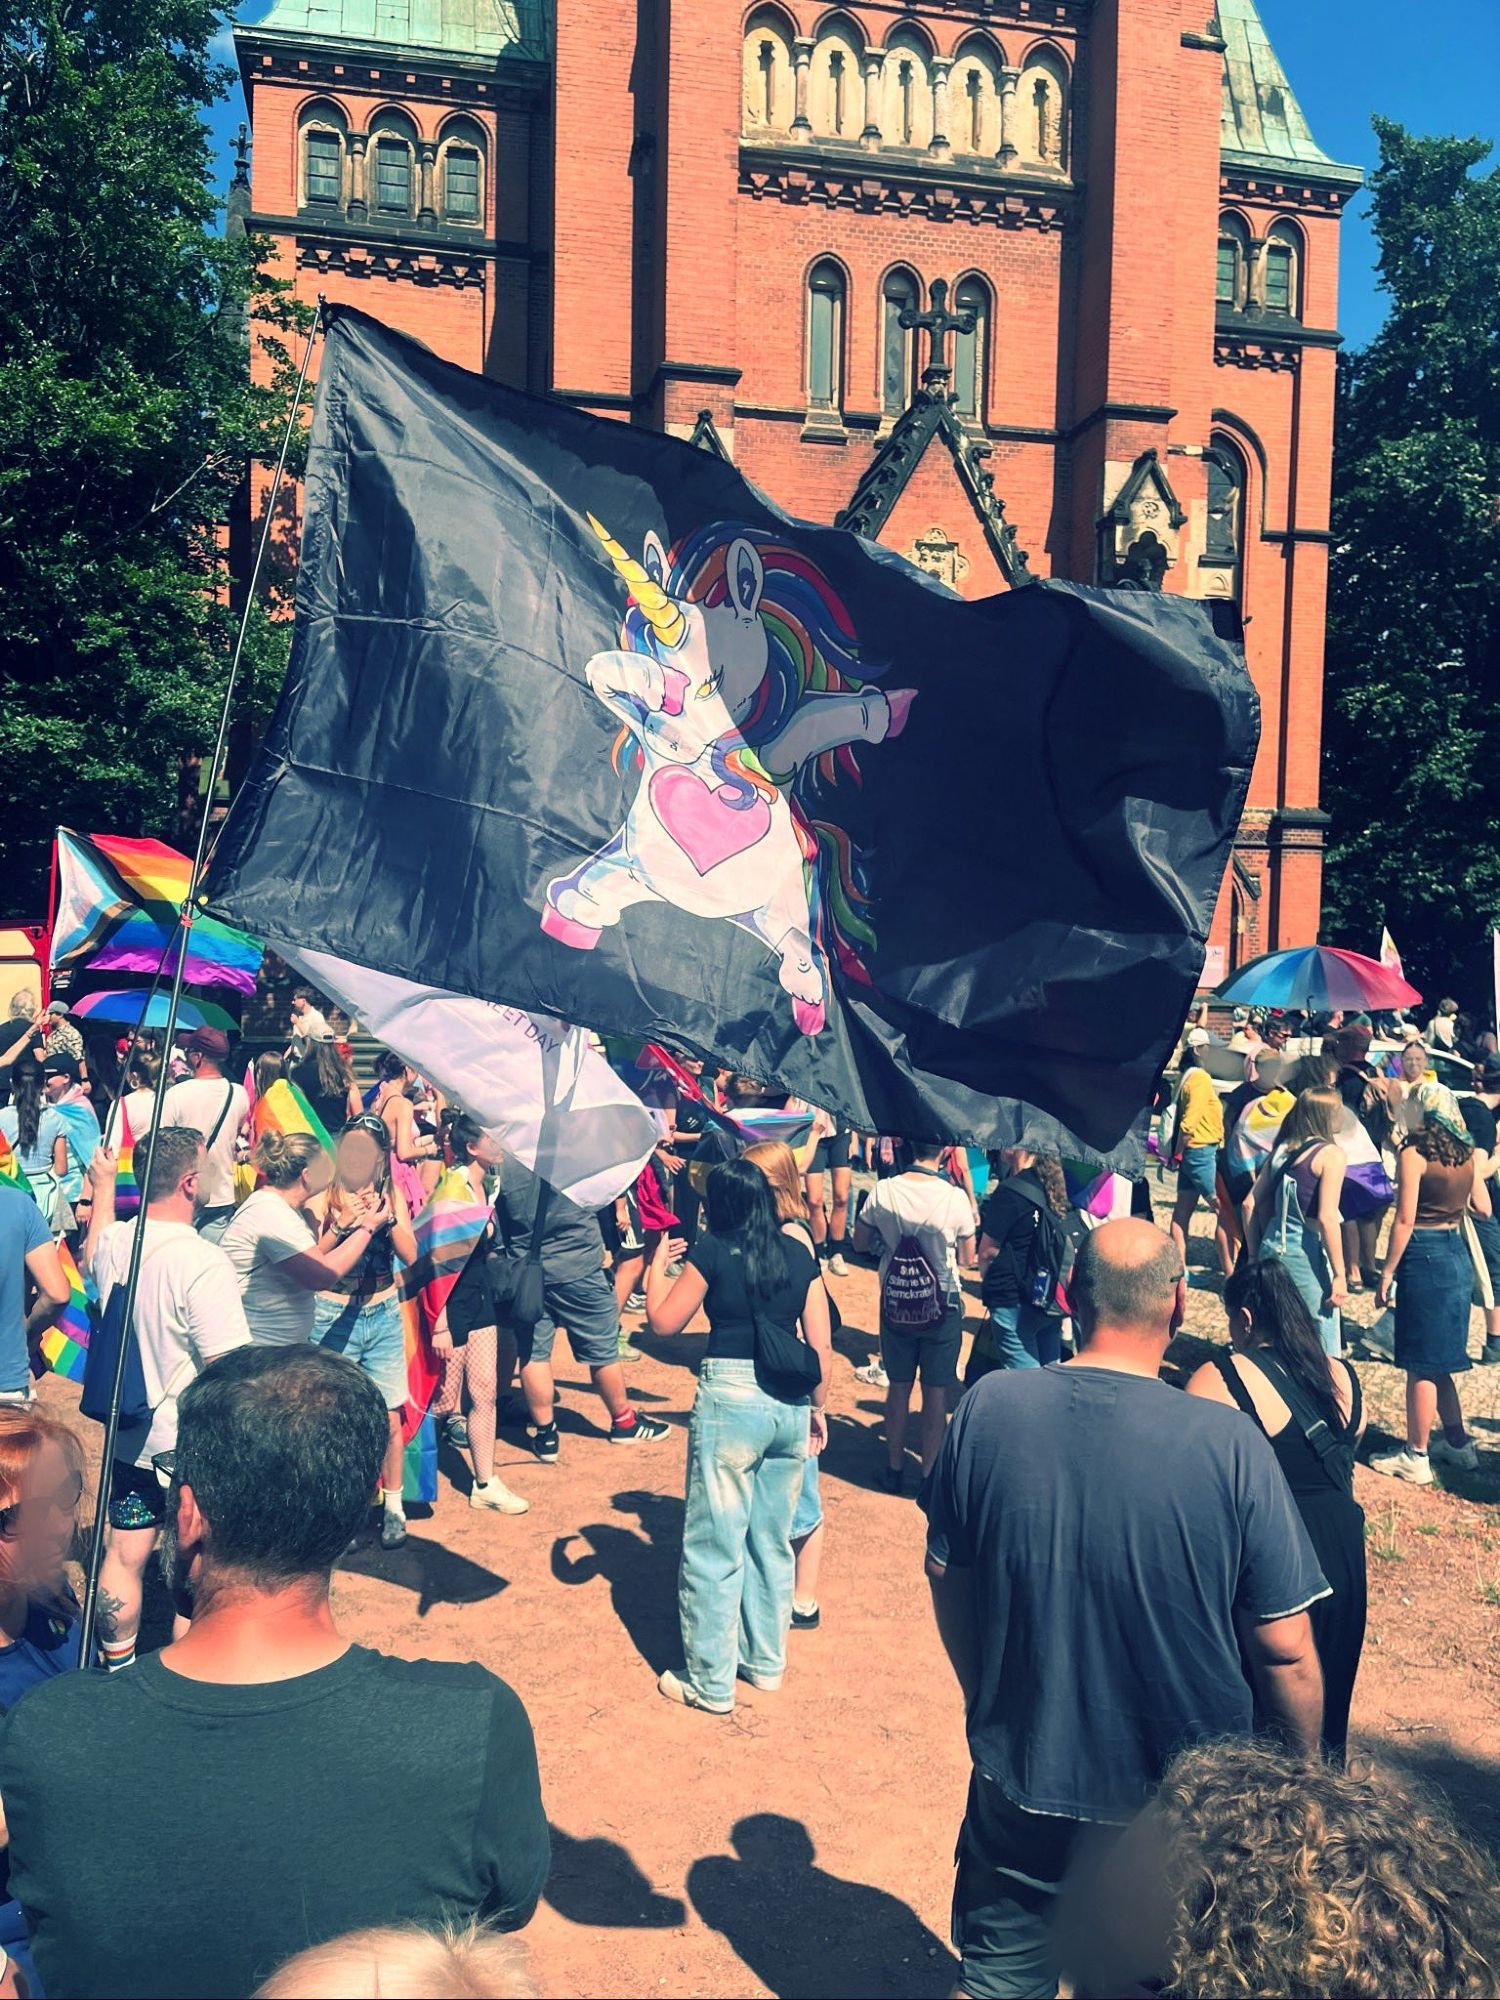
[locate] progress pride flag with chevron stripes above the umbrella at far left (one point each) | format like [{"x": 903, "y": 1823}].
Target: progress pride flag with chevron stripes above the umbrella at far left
[{"x": 119, "y": 907}]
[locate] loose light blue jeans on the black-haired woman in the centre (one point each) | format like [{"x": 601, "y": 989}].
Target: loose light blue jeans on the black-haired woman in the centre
[{"x": 735, "y": 1587}]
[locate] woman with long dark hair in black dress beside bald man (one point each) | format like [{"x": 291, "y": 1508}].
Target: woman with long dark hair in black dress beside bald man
[{"x": 1309, "y": 1405}]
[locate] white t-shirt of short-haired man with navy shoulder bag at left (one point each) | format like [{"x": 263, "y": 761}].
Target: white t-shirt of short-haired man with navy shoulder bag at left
[{"x": 187, "y": 1313}]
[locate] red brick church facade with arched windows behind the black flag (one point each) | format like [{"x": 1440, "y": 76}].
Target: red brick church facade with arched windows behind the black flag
[{"x": 1019, "y": 287}]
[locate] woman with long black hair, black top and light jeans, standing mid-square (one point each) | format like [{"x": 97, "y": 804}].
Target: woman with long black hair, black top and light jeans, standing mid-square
[{"x": 745, "y": 1445}]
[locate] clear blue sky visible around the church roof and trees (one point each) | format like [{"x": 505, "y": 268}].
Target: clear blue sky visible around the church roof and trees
[{"x": 1347, "y": 61}]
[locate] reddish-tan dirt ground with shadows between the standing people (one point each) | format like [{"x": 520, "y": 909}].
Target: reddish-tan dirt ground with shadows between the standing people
[{"x": 803, "y": 1847}]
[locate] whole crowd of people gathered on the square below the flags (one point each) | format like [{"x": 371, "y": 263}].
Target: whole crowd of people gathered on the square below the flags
[{"x": 1153, "y": 1601}]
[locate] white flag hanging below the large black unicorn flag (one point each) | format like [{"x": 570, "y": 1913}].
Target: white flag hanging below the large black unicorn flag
[{"x": 537, "y": 1085}]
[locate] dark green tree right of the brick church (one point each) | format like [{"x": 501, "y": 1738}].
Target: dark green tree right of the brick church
[{"x": 1413, "y": 727}]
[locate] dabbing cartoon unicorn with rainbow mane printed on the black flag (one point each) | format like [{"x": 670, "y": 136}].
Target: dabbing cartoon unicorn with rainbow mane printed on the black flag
[{"x": 735, "y": 689}]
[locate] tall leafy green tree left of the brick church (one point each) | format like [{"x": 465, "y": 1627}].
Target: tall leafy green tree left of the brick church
[{"x": 127, "y": 419}]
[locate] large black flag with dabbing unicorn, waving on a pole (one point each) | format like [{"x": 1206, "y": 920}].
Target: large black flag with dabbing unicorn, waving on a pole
[{"x": 577, "y": 721}]
